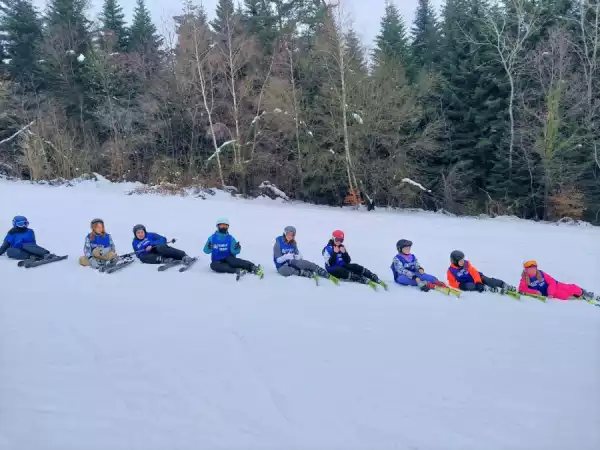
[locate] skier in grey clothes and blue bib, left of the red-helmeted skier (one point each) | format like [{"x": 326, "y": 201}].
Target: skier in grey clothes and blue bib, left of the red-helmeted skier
[{"x": 289, "y": 261}]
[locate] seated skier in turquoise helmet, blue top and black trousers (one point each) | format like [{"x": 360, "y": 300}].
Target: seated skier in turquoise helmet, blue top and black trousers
[{"x": 223, "y": 249}]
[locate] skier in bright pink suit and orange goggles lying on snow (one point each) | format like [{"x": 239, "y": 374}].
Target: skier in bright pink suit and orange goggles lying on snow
[{"x": 534, "y": 281}]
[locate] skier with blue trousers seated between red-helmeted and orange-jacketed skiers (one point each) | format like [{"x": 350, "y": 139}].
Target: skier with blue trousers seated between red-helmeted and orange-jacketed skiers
[{"x": 408, "y": 271}]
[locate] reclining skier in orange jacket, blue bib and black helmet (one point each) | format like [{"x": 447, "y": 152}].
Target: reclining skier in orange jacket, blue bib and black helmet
[{"x": 464, "y": 276}]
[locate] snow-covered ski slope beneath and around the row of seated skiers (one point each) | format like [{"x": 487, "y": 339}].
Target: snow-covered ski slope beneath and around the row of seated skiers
[{"x": 141, "y": 360}]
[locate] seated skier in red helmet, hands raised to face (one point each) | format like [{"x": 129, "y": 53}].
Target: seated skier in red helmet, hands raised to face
[{"x": 339, "y": 264}]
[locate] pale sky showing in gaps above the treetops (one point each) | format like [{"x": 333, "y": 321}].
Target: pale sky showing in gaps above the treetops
[{"x": 365, "y": 14}]
